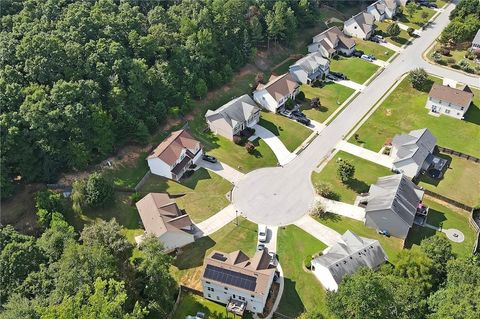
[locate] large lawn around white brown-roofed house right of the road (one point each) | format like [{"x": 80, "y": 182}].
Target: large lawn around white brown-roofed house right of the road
[{"x": 404, "y": 110}]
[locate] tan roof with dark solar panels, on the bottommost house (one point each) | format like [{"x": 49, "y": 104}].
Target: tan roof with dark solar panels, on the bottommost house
[{"x": 237, "y": 270}]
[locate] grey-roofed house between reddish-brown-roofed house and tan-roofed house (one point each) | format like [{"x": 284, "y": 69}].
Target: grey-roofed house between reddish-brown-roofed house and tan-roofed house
[{"x": 233, "y": 117}]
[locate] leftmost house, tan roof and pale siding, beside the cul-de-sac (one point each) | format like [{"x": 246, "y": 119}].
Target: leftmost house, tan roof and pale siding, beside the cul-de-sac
[{"x": 161, "y": 217}]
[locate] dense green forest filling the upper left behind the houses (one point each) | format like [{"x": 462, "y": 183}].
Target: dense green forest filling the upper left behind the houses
[{"x": 81, "y": 78}]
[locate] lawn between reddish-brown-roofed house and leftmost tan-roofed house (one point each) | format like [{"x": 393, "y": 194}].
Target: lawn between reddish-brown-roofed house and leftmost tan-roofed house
[{"x": 204, "y": 192}]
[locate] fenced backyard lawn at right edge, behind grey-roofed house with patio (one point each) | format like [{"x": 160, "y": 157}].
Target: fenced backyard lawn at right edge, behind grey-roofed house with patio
[{"x": 460, "y": 181}]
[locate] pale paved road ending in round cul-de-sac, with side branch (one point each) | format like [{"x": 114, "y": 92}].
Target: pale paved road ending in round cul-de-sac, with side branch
[{"x": 283, "y": 195}]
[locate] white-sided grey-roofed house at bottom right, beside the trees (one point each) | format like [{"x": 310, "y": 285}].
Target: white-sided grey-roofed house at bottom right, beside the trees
[{"x": 346, "y": 257}]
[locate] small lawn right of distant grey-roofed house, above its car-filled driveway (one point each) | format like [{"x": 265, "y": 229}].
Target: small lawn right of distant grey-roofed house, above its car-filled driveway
[{"x": 355, "y": 69}]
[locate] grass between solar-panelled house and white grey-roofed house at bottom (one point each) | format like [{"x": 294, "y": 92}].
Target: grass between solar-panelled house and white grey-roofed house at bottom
[{"x": 302, "y": 290}]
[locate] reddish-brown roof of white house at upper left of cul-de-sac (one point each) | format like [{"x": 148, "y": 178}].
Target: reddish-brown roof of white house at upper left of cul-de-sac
[{"x": 170, "y": 149}]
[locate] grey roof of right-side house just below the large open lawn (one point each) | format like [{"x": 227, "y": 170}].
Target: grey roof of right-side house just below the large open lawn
[{"x": 416, "y": 145}]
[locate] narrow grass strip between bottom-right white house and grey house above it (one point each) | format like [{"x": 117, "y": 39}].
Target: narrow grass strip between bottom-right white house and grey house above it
[{"x": 341, "y": 224}]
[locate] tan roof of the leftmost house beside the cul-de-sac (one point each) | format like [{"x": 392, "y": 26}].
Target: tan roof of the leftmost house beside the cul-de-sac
[{"x": 160, "y": 214}]
